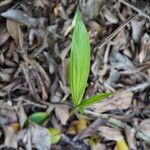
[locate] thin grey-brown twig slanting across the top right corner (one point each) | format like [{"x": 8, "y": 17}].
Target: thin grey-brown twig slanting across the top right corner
[{"x": 134, "y": 8}]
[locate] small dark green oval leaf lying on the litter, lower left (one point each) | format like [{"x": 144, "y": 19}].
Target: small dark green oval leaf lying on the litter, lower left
[{"x": 38, "y": 117}]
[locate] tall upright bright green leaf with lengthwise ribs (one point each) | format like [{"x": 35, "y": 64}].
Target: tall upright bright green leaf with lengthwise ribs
[{"x": 79, "y": 60}]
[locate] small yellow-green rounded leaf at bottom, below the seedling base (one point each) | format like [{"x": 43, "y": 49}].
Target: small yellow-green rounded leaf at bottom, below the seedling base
[{"x": 55, "y": 135}]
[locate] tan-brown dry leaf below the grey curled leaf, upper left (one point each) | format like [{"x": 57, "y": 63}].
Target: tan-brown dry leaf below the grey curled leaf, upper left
[{"x": 15, "y": 31}]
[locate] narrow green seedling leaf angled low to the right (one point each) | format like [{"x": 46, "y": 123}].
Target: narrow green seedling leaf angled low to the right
[{"x": 93, "y": 100}]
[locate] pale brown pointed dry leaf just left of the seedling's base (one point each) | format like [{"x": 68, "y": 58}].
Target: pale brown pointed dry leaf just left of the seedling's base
[{"x": 62, "y": 113}]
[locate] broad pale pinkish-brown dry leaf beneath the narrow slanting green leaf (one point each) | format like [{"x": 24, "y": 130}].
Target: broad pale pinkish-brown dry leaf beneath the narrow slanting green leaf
[{"x": 123, "y": 102}]
